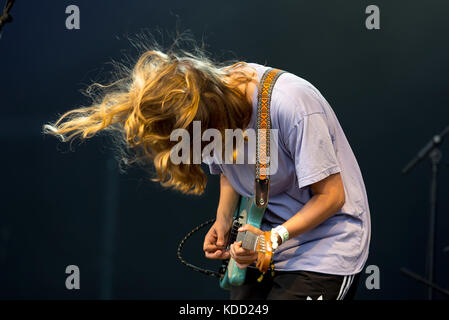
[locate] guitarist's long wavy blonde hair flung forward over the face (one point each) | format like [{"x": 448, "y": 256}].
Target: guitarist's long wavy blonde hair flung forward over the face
[{"x": 162, "y": 92}]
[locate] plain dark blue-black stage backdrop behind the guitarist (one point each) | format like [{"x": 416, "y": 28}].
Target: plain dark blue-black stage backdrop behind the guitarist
[{"x": 388, "y": 87}]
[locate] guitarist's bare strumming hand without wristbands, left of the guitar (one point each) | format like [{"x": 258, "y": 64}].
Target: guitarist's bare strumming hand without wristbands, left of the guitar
[{"x": 215, "y": 240}]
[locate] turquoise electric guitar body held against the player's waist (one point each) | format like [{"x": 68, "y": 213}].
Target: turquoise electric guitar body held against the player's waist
[{"x": 246, "y": 213}]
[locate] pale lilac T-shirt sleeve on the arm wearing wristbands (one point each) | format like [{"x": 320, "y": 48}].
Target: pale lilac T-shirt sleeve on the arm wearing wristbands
[{"x": 312, "y": 150}]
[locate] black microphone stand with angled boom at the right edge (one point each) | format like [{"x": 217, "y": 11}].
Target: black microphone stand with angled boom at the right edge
[{"x": 433, "y": 151}]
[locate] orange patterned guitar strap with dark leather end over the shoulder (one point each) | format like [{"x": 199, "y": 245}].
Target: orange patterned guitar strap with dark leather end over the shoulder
[{"x": 263, "y": 136}]
